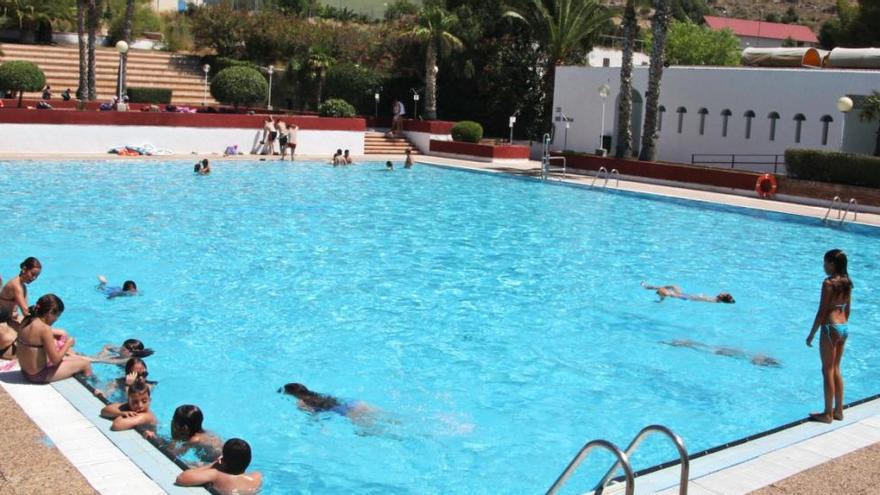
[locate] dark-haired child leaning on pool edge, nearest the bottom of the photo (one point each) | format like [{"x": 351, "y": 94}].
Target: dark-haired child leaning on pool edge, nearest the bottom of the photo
[{"x": 227, "y": 474}]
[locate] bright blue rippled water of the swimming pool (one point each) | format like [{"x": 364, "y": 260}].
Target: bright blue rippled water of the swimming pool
[{"x": 498, "y": 322}]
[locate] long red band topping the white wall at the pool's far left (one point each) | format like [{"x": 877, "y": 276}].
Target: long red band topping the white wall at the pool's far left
[{"x": 63, "y": 117}]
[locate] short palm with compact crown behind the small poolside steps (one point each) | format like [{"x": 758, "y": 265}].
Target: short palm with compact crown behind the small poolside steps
[{"x": 434, "y": 28}]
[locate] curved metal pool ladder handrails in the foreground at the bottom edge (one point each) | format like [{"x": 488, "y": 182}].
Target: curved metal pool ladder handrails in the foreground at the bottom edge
[{"x": 623, "y": 461}]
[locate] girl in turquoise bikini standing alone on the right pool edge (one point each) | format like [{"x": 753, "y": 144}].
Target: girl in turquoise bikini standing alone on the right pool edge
[{"x": 832, "y": 317}]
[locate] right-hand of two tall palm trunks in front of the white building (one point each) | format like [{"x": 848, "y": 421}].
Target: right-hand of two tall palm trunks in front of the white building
[{"x": 659, "y": 26}]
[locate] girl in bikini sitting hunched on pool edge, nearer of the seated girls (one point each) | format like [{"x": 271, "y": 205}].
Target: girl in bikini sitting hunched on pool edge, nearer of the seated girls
[{"x": 42, "y": 360}]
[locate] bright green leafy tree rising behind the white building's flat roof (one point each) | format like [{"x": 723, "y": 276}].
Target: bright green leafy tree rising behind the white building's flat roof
[{"x": 690, "y": 44}]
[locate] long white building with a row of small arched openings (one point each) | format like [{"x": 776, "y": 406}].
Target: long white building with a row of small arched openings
[{"x": 722, "y": 112}]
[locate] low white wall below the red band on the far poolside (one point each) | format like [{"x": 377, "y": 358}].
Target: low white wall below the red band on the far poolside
[{"x": 67, "y": 139}]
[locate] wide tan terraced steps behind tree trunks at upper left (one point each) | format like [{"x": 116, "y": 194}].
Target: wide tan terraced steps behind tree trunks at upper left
[{"x": 180, "y": 73}]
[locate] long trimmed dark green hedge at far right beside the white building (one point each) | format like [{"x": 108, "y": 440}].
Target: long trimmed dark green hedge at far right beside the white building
[{"x": 835, "y": 167}]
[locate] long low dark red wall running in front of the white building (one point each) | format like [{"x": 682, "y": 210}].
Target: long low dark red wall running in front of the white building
[{"x": 666, "y": 171}]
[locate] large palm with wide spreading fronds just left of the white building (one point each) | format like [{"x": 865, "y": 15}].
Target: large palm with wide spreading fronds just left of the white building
[{"x": 561, "y": 27}]
